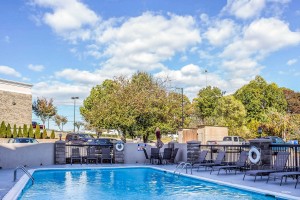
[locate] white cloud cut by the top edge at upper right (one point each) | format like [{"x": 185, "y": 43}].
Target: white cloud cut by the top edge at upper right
[{"x": 244, "y": 9}]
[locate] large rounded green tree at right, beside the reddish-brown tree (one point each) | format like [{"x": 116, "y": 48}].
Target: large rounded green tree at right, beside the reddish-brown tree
[{"x": 258, "y": 96}]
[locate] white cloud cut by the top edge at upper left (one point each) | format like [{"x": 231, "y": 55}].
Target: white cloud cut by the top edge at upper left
[{"x": 69, "y": 17}]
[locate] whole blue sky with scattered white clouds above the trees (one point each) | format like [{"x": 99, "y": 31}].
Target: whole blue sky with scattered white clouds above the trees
[{"x": 64, "y": 48}]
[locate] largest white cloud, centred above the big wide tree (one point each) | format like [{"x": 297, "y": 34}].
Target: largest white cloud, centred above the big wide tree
[{"x": 144, "y": 42}]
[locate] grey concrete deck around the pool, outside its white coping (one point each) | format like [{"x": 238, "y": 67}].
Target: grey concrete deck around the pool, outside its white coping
[{"x": 287, "y": 189}]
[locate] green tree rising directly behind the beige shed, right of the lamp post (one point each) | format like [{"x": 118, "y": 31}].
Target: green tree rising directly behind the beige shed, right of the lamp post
[{"x": 207, "y": 101}]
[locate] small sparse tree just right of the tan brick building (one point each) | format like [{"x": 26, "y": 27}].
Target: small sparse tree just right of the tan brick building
[{"x": 44, "y": 109}]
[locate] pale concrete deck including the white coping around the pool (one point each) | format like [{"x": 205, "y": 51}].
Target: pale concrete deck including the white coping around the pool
[{"x": 10, "y": 190}]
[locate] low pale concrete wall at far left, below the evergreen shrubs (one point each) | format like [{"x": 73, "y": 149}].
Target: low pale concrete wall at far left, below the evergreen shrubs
[{"x": 31, "y": 155}]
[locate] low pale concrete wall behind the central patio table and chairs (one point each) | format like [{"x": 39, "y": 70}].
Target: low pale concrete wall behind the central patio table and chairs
[{"x": 132, "y": 155}]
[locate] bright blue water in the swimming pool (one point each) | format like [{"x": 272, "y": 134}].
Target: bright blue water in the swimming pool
[{"x": 126, "y": 183}]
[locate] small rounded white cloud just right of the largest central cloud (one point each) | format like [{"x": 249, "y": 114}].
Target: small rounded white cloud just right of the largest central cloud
[{"x": 221, "y": 32}]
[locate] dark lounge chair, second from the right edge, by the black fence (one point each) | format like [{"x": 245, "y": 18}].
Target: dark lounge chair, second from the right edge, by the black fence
[{"x": 278, "y": 166}]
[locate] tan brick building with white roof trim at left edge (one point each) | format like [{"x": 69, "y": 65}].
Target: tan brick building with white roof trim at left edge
[{"x": 15, "y": 103}]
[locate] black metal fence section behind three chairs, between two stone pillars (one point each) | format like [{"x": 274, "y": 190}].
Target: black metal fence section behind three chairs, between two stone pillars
[{"x": 84, "y": 150}]
